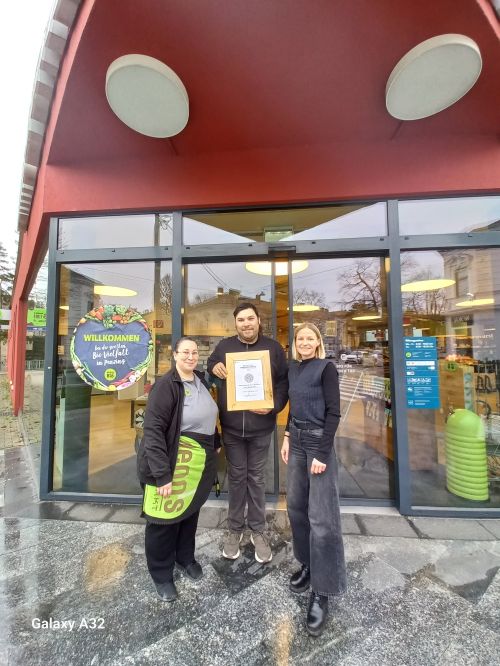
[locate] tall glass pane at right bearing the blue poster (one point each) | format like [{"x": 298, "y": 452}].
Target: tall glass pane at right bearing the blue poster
[{"x": 453, "y": 390}]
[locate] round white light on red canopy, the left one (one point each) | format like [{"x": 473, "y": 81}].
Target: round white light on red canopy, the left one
[{"x": 147, "y": 95}]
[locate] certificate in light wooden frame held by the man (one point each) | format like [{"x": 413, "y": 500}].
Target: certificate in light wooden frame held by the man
[{"x": 249, "y": 383}]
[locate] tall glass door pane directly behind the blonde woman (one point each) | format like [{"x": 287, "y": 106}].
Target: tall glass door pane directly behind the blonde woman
[{"x": 347, "y": 300}]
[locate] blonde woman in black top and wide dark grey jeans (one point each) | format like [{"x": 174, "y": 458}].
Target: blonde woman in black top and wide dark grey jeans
[{"x": 312, "y": 486}]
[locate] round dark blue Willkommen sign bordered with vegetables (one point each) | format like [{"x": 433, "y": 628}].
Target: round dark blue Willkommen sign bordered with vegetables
[{"x": 111, "y": 347}]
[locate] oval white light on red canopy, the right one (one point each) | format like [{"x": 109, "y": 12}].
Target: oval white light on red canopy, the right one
[{"x": 432, "y": 76}]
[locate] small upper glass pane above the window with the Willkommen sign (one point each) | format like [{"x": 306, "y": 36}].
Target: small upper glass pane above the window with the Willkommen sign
[{"x": 115, "y": 231}]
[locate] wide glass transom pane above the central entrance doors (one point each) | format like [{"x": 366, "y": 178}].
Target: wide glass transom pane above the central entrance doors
[{"x": 273, "y": 226}]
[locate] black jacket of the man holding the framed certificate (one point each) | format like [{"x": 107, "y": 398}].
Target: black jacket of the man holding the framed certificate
[{"x": 246, "y": 423}]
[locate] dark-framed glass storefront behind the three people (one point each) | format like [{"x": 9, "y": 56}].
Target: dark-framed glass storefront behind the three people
[{"x": 404, "y": 293}]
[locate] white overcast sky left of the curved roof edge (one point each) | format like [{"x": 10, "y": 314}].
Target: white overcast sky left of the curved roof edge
[{"x": 24, "y": 24}]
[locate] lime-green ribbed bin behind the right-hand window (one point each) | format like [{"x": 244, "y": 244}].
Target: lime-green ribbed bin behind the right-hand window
[{"x": 466, "y": 462}]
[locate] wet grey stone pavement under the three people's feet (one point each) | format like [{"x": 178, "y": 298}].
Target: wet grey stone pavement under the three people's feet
[{"x": 421, "y": 591}]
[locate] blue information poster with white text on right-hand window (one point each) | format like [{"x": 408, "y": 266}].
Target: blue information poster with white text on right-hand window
[{"x": 421, "y": 372}]
